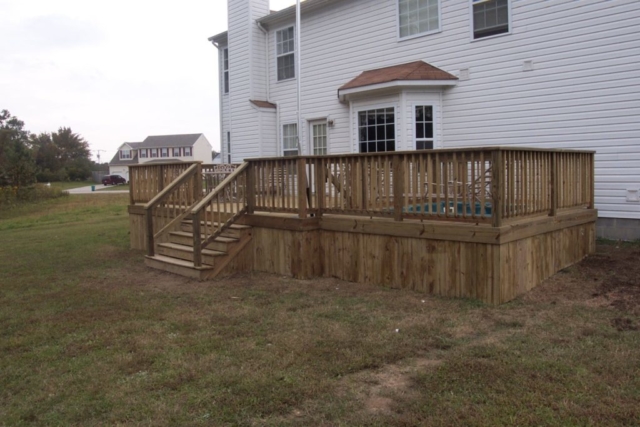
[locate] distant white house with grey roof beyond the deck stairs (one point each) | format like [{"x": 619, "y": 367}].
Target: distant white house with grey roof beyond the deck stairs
[{"x": 161, "y": 148}]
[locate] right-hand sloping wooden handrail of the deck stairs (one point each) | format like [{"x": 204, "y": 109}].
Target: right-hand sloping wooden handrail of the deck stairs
[{"x": 198, "y": 209}]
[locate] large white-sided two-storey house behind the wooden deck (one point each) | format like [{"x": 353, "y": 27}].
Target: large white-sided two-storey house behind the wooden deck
[{"x": 385, "y": 75}]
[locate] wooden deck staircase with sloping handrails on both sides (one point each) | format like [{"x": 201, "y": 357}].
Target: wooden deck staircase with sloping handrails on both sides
[{"x": 199, "y": 249}]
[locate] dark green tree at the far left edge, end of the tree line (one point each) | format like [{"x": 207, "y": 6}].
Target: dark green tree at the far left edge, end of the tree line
[{"x": 17, "y": 163}]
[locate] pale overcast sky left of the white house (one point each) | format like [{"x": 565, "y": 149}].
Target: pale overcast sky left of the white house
[{"x": 113, "y": 71}]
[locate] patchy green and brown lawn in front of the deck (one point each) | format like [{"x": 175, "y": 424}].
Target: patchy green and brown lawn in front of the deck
[{"x": 89, "y": 336}]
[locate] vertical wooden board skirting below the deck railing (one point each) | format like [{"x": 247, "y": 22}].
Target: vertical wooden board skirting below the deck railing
[{"x": 458, "y": 260}]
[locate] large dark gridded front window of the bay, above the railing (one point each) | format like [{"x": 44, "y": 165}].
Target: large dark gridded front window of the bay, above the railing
[{"x": 377, "y": 130}]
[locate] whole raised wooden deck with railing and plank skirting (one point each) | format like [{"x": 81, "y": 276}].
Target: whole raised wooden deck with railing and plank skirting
[{"x": 486, "y": 223}]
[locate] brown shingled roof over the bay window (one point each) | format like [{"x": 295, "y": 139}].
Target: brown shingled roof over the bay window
[{"x": 418, "y": 70}]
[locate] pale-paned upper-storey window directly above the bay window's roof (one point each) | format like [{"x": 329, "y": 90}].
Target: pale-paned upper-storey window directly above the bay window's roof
[{"x": 418, "y": 17}]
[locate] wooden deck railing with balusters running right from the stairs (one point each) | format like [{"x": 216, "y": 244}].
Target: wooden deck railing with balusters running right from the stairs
[{"x": 480, "y": 185}]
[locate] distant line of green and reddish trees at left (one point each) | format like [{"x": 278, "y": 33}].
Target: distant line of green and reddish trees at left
[{"x": 28, "y": 158}]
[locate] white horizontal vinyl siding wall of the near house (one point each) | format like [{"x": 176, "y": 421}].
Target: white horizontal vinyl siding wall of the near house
[{"x": 583, "y": 91}]
